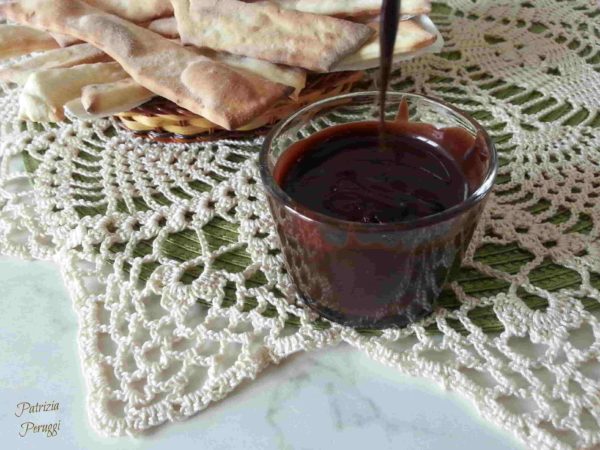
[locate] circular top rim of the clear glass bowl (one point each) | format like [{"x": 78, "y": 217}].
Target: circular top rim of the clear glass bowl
[{"x": 307, "y": 213}]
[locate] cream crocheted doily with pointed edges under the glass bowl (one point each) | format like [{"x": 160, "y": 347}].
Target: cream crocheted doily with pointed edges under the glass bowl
[{"x": 172, "y": 261}]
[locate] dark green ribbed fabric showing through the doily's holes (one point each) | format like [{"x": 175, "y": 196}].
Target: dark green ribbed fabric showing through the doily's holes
[{"x": 510, "y": 258}]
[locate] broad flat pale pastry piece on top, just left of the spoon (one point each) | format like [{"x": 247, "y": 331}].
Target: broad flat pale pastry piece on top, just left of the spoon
[{"x": 313, "y": 42}]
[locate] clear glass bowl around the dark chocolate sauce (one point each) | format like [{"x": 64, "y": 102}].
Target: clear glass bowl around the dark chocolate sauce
[{"x": 375, "y": 275}]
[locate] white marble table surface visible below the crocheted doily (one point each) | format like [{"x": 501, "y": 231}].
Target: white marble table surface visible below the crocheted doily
[{"x": 331, "y": 399}]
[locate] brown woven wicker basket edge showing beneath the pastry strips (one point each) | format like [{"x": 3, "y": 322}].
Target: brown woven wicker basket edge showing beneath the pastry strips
[{"x": 164, "y": 121}]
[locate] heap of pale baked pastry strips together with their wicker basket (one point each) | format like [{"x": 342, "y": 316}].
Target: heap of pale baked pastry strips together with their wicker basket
[{"x": 192, "y": 67}]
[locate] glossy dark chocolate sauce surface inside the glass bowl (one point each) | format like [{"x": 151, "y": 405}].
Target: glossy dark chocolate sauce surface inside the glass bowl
[{"x": 340, "y": 172}]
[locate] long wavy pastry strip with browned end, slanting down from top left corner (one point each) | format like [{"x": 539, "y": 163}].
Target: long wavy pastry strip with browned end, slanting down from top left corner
[{"x": 211, "y": 89}]
